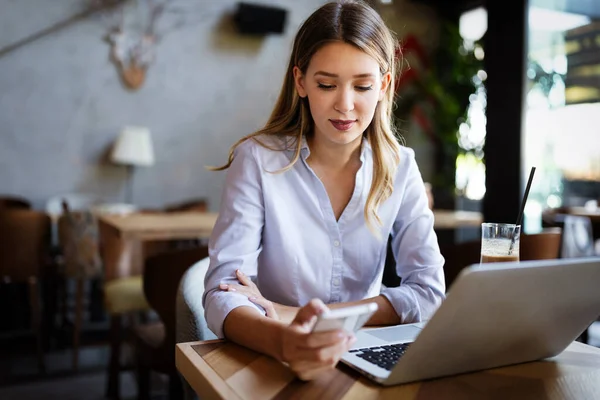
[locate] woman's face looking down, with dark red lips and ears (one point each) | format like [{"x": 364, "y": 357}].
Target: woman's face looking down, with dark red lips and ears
[{"x": 343, "y": 85}]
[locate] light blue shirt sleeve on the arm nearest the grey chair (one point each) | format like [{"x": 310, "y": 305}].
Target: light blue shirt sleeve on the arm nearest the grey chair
[{"x": 235, "y": 242}]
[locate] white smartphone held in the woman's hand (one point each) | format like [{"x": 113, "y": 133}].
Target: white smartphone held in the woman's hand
[{"x": 350, "y": 319}]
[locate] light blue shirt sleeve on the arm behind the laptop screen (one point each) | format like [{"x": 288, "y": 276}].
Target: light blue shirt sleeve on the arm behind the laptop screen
[{"x": 418, "y": 259}]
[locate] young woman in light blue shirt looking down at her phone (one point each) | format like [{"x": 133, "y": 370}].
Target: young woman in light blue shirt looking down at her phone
[{"x": 311, "y": 199}]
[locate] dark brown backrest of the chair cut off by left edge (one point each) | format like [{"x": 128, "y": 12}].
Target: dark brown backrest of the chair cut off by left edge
[{"x": 24, "y": 244}]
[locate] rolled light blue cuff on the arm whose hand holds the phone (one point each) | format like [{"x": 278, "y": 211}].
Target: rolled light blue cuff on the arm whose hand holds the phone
[{"x": 219, "y": 304}]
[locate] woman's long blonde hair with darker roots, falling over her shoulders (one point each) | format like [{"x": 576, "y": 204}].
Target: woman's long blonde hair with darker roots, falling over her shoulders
[{"x": 357, "y": 24}]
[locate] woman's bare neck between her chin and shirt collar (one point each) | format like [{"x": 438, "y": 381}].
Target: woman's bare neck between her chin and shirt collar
[{"x": 332, "y": 155}]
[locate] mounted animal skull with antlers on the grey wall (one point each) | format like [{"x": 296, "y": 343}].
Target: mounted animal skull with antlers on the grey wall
[{"x": 132, "y": 49}]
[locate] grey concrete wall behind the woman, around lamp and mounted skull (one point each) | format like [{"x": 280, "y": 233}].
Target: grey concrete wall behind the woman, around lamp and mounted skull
[{"x": 62, "y": 104}]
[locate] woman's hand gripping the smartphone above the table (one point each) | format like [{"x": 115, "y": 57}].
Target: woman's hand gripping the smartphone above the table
[{"x": 309, "y": 354}]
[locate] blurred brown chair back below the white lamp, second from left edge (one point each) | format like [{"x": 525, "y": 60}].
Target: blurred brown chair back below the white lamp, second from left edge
[{"x": 79, "y": 239}]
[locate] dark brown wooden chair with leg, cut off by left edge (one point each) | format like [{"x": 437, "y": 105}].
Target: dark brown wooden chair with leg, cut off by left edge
[{"x": 24, "y": 243}]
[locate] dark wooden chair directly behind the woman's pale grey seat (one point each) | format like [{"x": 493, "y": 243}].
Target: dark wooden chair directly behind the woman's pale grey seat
[{"x": 155, "y": 343}]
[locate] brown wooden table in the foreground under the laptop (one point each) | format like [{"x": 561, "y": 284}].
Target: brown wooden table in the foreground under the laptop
[{"x": 222, "y": 370}]
